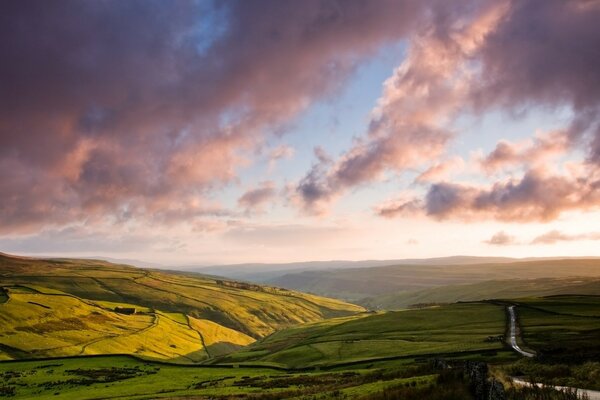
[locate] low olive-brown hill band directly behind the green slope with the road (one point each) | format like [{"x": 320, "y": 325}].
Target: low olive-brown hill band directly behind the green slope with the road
[{"x": 498, "y": 289}]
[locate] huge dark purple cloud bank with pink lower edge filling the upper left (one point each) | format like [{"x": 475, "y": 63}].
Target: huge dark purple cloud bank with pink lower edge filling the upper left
[{"x": 125, "y": 108}]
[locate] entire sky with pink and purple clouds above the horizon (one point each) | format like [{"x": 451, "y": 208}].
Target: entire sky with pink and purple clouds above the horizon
[{"x": 200, "y": 132}]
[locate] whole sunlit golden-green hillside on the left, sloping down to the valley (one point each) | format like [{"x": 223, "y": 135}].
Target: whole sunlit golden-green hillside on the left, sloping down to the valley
[{"x": 67, "y": 307}]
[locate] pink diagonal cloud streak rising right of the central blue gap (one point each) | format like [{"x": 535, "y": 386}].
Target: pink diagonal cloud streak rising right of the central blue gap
[{"x": 408, "y": 127}]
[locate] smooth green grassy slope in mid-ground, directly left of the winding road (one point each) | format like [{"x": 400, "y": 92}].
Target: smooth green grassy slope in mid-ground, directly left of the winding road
[{"x": 456, "y": 328}]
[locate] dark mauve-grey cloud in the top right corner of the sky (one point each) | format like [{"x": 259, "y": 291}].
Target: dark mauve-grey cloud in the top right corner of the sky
[{"x": 540, "y": 54}]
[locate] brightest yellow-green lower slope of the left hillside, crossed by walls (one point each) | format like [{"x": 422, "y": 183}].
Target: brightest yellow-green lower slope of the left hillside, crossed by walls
[{"x": 43, "y": 325}]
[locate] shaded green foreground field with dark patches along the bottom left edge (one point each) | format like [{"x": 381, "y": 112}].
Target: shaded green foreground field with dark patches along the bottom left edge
[{"x": 128, "y": 378}]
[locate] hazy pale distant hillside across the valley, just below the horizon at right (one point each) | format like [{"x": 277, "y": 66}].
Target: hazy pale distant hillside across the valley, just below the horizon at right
[{"x": 357, "y": 283}]
